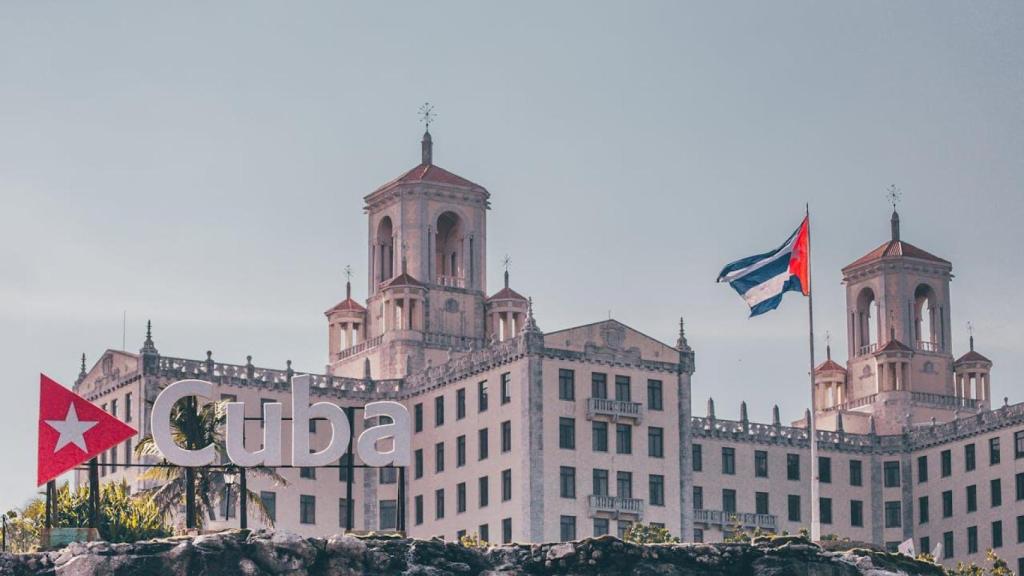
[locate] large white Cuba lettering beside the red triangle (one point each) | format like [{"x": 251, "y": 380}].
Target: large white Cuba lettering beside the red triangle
[{"x": 303, "y": 413}]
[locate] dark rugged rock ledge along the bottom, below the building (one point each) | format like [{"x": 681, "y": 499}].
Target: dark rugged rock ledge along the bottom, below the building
[{"x": 274, "y": 554}]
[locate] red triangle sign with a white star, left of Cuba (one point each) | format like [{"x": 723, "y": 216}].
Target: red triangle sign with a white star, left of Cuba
[{"x": 72, "y": 430}]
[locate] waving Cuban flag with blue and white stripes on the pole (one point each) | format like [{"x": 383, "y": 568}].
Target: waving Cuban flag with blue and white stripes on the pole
[{"x": 763, "y": 279}]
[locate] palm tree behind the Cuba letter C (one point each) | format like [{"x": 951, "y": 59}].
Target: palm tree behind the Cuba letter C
[{"x": 194, "y": 428}]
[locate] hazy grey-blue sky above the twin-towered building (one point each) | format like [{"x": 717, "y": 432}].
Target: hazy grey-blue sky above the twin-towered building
[{"x": 203, "y": 164}]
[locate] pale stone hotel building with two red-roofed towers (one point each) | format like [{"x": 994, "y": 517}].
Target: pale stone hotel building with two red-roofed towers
[{"x": 532, "y": 436}]
